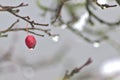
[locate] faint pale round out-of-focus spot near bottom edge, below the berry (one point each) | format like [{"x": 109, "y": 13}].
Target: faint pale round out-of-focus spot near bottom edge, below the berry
[{"x": 28, "y": 72}]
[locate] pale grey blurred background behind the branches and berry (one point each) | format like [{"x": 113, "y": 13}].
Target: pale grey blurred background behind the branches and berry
[{"x": 49, "y": 60}]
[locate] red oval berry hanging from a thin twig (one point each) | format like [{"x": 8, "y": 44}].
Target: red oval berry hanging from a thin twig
[{"x": 30, "y": 41}]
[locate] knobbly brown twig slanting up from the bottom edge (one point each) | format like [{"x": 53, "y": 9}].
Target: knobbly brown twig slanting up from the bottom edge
[{"x": 76, "y": 70}]
